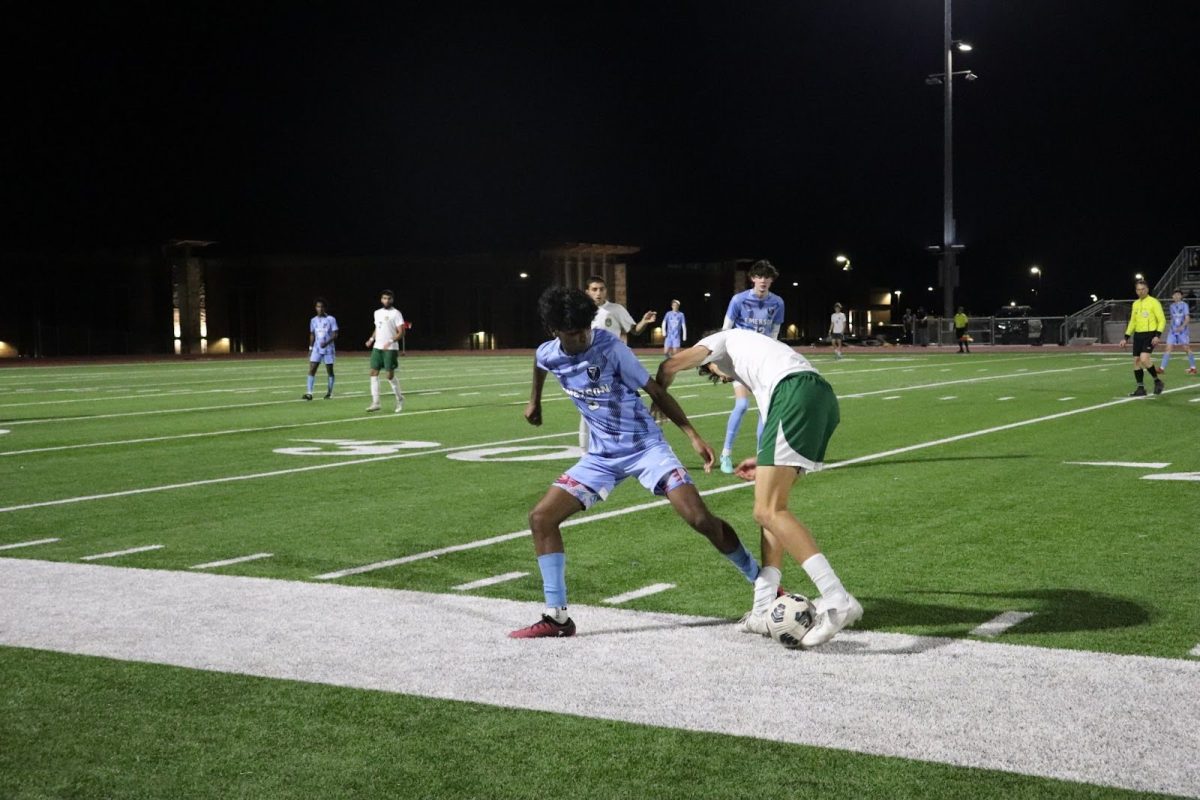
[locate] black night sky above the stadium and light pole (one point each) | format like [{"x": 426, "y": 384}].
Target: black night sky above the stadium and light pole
[{"x": 790, "y": 130}]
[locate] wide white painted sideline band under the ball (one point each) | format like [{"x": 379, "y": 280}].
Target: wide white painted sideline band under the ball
[{"x": 1060, "y": 714}]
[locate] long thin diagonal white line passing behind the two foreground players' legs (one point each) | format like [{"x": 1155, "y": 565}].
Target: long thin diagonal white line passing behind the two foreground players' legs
[{"x": 656, "y": 504}]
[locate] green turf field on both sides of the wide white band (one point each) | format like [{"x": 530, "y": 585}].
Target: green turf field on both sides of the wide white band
[{"x": 959, "y": 504}]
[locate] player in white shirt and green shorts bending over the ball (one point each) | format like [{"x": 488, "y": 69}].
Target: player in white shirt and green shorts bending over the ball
[{"x": 801, "y": 413}]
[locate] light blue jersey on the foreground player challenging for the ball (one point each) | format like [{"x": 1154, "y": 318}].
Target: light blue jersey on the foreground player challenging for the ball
[{"x": 604, "y": 382}]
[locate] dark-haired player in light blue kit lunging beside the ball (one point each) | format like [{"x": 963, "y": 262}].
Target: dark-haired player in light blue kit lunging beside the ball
[{"x": 603, "y": 377}]
